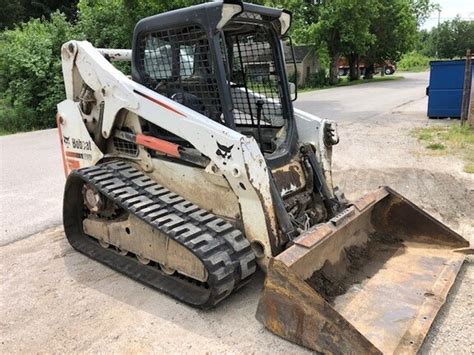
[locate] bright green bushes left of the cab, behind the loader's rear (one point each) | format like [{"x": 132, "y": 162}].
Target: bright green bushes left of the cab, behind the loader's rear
[{"x": 31, "y": 82}]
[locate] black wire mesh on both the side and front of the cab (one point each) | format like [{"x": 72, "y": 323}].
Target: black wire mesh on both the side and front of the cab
[{"x": 178, "y": 63}]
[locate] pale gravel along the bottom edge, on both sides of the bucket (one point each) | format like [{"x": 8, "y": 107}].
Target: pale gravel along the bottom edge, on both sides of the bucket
[{"x": 55, "y": 300}]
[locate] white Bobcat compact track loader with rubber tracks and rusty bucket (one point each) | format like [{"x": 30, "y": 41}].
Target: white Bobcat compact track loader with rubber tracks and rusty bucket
[{"x": 197, "y": 168}]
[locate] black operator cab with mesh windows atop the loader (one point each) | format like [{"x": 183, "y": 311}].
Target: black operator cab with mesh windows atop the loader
[{"x": 225, "y": 61}]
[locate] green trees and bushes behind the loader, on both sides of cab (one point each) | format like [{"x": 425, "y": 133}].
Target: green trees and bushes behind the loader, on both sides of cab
[{"x": 33, "y": 31}]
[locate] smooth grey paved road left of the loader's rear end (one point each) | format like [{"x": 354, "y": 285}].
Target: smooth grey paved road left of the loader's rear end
[{"x": 31, "y": 184}]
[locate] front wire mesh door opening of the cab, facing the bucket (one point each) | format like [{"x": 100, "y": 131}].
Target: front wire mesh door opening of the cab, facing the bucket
[{"x": 254, "y": 78}]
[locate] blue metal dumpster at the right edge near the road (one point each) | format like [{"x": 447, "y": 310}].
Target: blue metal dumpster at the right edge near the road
[{"x": 445, "y": 88}]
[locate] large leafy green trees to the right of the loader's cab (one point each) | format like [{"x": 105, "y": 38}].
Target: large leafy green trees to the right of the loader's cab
[{"x": 375, "y": 30}]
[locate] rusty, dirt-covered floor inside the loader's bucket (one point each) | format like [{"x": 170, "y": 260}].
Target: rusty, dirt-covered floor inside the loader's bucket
[{"x": 388, "y": 284}]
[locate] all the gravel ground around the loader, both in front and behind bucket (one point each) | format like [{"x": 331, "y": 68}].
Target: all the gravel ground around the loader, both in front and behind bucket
[{"x": 55, "y": 300}]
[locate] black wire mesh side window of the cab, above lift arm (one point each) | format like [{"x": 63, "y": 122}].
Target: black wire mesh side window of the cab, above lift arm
[{"x": 177, "y": 63}]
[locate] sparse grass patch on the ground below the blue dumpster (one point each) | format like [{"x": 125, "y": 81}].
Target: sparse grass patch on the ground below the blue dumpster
[{"x": 453, "y": 139}]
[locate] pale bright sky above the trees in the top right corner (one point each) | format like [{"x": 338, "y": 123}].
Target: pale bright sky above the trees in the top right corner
[{"x": 449, "y": 9}]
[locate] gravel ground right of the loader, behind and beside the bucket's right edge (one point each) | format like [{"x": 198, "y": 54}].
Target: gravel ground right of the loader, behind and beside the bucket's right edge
[{"x": 435, "y": 183}]
